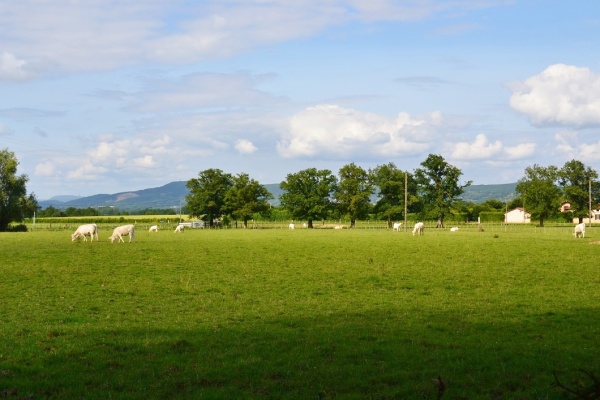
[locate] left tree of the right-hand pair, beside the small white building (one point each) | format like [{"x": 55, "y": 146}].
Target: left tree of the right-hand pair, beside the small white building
[{"x": 540, "y": 192}]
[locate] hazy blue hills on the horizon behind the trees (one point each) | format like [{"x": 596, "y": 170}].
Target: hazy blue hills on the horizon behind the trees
[{"x": 172, "y": 195}]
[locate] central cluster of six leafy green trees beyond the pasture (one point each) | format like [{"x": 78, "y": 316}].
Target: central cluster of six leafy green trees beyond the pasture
[{"x": 312, "y": 194}]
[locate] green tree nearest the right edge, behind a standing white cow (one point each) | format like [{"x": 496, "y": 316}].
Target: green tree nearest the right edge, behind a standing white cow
[{"x": 574, "y": 179}]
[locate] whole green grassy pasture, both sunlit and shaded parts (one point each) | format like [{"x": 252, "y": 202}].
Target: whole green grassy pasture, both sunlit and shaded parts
[{"x": 303, "y": 314}]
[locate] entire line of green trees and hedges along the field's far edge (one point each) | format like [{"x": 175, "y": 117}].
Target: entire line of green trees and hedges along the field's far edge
[{"x": 430, "y": 192}]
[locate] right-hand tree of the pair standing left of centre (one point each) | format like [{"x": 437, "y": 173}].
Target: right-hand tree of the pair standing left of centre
[{"x": 246, "y": 197}]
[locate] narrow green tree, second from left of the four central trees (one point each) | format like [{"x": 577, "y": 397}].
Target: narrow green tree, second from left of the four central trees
[{"x": 353, "y": 194}]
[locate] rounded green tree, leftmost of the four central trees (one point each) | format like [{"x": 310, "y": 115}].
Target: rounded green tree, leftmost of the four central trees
[{"x": 308, "y": 194}]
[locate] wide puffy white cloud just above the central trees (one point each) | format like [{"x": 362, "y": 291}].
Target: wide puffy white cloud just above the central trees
[{"x": 334, "y": 131}]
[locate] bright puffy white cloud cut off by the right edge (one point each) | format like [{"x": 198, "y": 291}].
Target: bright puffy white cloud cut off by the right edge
[{"x": 561, "y": 94}]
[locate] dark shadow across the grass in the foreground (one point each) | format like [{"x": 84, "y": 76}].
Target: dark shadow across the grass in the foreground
[{"x": 362, "y": 356}]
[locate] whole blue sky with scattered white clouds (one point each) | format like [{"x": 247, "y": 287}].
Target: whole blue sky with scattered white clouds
[{"x": 105, "y": 96}]
